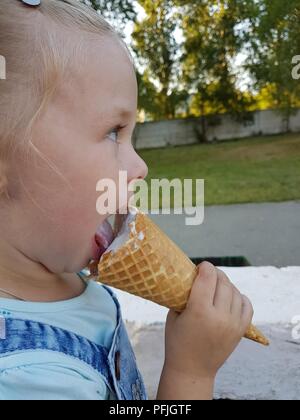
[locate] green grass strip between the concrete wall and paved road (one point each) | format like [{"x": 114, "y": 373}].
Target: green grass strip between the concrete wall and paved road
[{"x": 252, "y": 170}]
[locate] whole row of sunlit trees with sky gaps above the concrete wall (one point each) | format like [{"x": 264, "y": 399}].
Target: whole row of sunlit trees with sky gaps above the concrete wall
[{"x": 198, "y": 58}]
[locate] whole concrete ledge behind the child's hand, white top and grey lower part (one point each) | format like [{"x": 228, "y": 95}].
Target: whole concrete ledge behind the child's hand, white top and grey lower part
[{"x": 253, "y": 372}]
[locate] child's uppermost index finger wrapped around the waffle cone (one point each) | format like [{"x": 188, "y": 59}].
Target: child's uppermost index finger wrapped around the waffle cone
[{"x": 204, "y": 286}]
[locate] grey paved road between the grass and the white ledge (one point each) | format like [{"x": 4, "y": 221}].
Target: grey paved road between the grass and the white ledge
[{"x": 266, "y": 234}]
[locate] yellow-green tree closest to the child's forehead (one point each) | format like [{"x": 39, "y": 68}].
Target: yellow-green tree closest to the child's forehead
[{"x": 156, "y": 50}]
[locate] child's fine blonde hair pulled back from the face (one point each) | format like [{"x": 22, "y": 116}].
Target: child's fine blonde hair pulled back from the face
[{"x": 38, "y": 54}]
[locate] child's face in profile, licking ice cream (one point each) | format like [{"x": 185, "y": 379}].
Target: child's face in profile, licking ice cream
[{"x": 56, "y": 222}]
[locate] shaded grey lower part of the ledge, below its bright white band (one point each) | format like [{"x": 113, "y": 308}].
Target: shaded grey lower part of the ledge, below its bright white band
[{"x": 253, "y": 372}]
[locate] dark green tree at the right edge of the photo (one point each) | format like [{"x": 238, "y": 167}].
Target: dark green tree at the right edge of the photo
[{"x": 275, "y": 41}]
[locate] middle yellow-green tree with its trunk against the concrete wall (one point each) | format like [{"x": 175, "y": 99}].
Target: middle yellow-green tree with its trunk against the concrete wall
[{"x": 213, "y": 37}]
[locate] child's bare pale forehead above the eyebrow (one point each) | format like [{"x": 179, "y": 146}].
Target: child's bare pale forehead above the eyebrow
[{"x": 104, "y": 79}]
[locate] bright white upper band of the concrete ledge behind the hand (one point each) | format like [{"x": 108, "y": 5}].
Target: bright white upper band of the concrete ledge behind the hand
[{"x": 274, "y": 292}]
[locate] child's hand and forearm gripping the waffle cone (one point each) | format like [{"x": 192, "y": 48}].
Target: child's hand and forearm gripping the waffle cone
[{"x": 201, "y": 339}]
